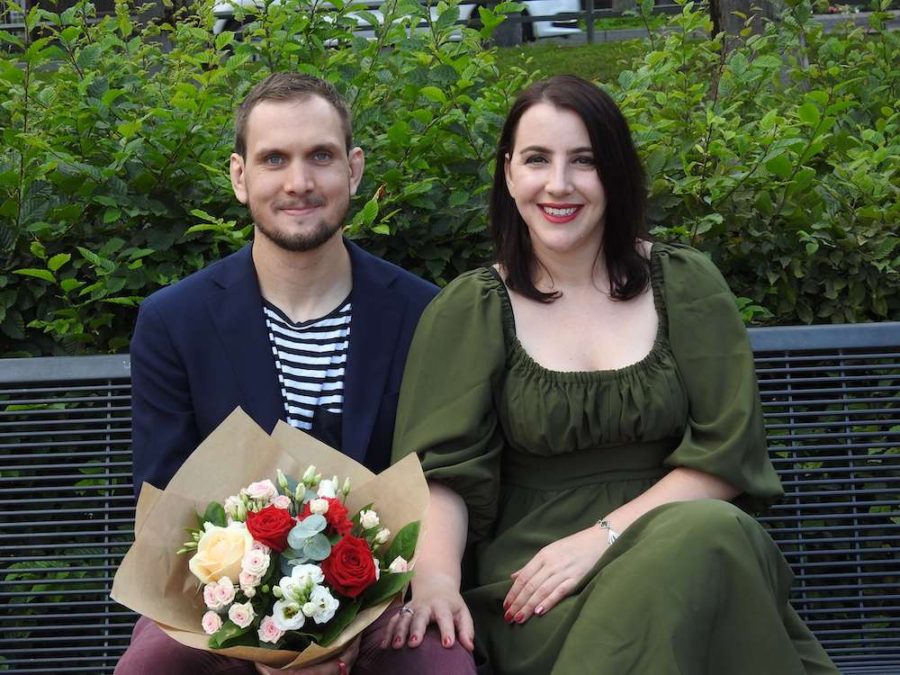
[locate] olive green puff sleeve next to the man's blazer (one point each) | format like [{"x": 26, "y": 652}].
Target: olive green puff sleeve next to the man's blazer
[{"x": 446, "y": 410}]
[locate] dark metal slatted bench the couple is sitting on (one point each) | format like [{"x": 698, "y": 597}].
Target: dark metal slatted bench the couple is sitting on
[{"x": 831, "y": 395}]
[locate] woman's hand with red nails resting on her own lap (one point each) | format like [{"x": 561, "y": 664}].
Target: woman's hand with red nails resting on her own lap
[{"x": 552, "y": 574}]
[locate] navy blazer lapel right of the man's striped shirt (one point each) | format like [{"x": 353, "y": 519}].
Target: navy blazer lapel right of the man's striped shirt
[{"x": 374, "y": 329}]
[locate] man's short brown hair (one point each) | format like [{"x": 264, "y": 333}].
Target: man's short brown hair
[{"x": 289, "y": 87}]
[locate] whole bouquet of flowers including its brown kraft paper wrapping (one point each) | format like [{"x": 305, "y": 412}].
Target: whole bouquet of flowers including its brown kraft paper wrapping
[{"x": 289, "y": 570}]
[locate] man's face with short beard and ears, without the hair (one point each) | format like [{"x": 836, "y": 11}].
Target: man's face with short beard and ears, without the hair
[{"x": 297, "y": 177}]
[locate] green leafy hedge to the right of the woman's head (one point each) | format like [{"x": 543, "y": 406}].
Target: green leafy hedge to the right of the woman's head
[{"x": 780, "y": 159}]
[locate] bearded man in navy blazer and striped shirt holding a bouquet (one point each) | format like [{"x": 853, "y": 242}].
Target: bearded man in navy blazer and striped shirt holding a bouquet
[{"x": 301, "y": 325}]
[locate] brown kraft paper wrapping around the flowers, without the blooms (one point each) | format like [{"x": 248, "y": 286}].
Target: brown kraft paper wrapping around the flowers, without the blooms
[{"x": 156, "y": 582}]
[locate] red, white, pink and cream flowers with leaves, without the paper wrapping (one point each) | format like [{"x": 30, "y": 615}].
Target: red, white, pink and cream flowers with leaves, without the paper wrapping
[{"x": 288, "y": 565}]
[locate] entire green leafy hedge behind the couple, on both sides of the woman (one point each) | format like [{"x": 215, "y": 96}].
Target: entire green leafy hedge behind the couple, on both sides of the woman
[{"x": 779, "y": 159}]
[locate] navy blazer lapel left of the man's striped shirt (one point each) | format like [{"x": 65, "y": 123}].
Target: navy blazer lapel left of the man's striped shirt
[{"x": 237, "y": 313}]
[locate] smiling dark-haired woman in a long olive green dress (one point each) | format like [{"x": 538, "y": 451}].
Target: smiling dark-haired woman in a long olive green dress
[{"x": 584, "y": 411}]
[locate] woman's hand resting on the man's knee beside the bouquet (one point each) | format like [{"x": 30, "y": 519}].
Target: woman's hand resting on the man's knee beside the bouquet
[{"x": 435, "y": 599}]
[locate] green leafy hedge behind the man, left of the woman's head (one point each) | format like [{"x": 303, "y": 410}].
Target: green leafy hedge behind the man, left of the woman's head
[{"x": 114, "y": 167}]
